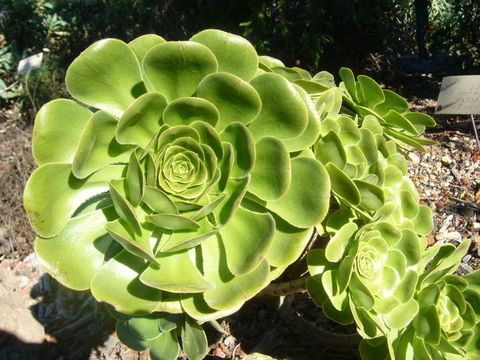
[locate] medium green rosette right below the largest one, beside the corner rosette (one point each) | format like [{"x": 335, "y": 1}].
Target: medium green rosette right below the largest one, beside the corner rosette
[{"x": 369, "y": 276}]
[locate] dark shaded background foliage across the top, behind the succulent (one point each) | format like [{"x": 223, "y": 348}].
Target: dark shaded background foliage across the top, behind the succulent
[{"x": 312, "y": 34}]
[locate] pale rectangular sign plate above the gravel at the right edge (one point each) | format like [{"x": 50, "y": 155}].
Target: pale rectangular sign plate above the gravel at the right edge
[{"x": 459, "y": 95}]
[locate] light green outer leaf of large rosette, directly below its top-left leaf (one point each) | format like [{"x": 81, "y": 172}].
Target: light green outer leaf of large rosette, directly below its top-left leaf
[{"x": 57, "y": 130}]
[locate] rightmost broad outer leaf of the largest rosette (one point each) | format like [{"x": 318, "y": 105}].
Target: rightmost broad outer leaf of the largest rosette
[{"x": 307, "y": 200}]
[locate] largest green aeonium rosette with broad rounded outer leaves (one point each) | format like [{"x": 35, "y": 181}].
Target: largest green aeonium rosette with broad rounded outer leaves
[{"x": 186, "y": 185}]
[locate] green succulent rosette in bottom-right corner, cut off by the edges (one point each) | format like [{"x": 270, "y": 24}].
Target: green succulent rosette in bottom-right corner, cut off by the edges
[{"x": 448, "y": 317}]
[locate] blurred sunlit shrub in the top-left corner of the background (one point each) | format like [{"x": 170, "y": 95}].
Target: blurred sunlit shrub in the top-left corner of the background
[{"x": 29, "y": 27}]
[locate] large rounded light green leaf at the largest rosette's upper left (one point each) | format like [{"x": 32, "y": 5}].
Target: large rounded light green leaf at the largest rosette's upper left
[{"x": 106, "y": 76}]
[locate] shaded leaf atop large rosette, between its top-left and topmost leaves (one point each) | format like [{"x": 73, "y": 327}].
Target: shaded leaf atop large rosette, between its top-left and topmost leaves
[{"x": 176, "y": 68}]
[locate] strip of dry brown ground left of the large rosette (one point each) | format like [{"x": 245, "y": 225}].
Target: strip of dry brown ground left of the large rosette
[{"x": 16, "y": 165}]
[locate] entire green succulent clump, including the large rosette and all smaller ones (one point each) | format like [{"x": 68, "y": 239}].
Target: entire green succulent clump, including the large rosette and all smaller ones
[{"x": 189, "y": 175}]
